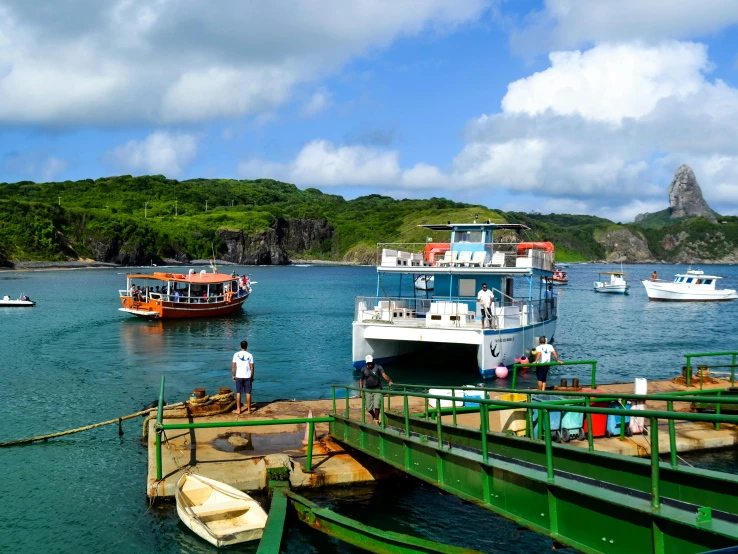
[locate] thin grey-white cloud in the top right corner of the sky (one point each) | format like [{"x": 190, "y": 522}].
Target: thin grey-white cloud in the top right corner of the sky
[{"x": 570, "y": 23}]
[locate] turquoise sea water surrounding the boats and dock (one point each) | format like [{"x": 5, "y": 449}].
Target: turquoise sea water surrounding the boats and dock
[{"x": 75, "y": 359}]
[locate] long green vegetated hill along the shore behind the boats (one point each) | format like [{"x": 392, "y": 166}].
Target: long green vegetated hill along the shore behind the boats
[{"x": 135, "y": 220}]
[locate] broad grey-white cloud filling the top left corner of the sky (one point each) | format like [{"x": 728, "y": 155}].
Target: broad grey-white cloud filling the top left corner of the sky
[{"x": 165, "y": 61}]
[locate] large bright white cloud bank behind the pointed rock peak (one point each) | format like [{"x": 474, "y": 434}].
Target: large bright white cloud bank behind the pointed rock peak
[{"x": 599, "y": 132}]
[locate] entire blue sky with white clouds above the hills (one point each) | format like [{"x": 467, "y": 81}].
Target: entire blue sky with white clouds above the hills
[{"x": 565, "y": 106}]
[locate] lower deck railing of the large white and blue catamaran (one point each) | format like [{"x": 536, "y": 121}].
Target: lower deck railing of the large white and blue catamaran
[{"x": 451, "y": 311}]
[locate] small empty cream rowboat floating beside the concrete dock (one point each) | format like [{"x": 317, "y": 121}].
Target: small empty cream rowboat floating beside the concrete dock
[{"x": 219, "y": 513}]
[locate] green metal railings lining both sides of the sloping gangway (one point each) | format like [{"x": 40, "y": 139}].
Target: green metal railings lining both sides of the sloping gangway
[{"x": 545, "y": 407}]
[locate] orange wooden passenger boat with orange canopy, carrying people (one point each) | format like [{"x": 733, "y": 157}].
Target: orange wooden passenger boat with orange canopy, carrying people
[{"x": 183, "y": 295}]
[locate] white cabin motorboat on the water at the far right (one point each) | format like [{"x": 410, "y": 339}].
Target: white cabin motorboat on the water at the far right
[{"x": 693, "y": 286}]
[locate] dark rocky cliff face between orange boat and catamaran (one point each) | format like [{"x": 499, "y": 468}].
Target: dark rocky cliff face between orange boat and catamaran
[{"x": 272, "y": 247}]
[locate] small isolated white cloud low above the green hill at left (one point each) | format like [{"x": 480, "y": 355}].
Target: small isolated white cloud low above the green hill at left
[{"x": 160, "y": 152}]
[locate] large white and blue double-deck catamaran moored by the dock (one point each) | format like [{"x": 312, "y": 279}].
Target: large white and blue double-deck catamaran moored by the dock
[{"x": 391, "y": 326}]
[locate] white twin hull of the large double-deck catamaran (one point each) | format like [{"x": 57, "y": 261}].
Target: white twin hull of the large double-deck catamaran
[{"x": 386, "y": 342}]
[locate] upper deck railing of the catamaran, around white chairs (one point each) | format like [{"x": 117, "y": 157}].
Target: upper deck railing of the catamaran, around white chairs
[{"x": 459, "y": 255}]
